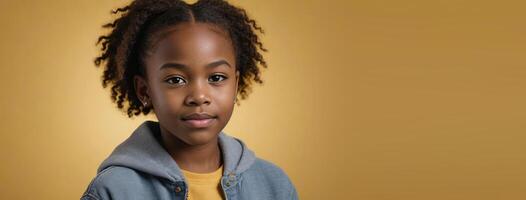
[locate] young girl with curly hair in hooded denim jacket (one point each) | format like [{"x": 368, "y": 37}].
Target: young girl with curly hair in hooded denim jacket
[{"x": 186, "y": 63}]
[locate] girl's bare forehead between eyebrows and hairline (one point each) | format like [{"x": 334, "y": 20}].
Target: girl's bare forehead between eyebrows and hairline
[{"x": 190, "y": 40}]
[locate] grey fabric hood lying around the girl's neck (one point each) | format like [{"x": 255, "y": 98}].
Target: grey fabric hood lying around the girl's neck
[{"x": 143, "y": 152}]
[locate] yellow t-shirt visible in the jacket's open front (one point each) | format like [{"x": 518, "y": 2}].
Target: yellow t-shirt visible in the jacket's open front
[{"x": 204, "y": 186}]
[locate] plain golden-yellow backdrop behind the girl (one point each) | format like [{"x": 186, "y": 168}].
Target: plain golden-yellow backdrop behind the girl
[{"x": 366, "y": 100}]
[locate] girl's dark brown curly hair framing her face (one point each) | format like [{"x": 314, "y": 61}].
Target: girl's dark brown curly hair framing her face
[{"x": 132, "y": 35}]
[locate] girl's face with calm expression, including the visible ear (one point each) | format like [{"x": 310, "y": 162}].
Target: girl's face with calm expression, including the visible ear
[{"x": 191, "y": 70}]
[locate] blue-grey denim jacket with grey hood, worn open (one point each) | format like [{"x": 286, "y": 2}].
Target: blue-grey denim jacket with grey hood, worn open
[{"x": 140, "y": 168}]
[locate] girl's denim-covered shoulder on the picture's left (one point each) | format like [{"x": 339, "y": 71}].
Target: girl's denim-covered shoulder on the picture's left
[{"x": 115, "y": 180}]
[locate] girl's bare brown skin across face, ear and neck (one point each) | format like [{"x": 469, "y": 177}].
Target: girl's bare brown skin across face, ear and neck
[{"x": 192, "y": 88}]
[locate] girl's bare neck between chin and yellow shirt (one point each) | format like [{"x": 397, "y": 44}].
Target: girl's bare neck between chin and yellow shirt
[{"x": 203, "y": 158}]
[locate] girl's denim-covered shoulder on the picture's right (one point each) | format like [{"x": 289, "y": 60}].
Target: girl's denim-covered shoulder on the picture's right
[{"x": 272, "y": 177}]
